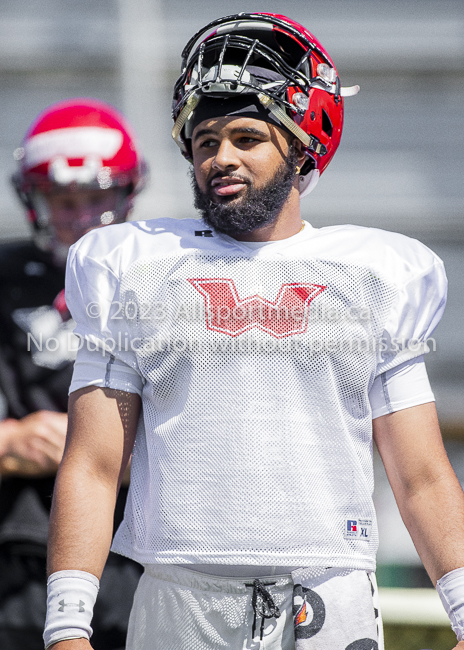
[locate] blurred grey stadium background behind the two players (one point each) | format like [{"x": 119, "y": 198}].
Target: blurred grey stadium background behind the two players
[{"x": 399, "y": 166}]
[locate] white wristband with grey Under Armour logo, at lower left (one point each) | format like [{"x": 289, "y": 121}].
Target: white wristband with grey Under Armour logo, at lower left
[{"x": 71, "y": 596}]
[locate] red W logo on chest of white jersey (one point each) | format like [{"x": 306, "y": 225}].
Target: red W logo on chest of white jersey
[{"x": 225, "y": 312}]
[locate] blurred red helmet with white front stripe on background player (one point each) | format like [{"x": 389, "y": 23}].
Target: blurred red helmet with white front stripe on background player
[{"x": 78, "y": 144}]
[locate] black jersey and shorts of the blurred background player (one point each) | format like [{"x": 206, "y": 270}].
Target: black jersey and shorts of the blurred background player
[{"x": 36, "y": 352}]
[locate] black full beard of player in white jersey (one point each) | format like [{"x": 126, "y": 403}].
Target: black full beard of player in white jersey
[{"x": 256, "y": 209}]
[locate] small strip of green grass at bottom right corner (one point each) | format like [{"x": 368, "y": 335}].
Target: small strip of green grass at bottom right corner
[{"x": 412, "y": 637}]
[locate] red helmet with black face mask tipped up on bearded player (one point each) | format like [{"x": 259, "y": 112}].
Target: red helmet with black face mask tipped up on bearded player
[{"x": 281, "y": 62}]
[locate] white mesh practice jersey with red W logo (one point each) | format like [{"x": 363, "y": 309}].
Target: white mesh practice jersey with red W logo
[{"x": 254, "y": 364}]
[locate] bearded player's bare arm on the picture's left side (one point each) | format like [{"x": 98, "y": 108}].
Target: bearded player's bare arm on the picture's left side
[{"x": 101, "y": 434}]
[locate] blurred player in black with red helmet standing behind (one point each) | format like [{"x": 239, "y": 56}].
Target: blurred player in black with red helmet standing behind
[{"x": 79, "y": 168}]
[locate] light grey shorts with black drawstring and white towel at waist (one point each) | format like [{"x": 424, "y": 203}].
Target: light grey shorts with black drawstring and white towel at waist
[{"x": 179, "y": 609}]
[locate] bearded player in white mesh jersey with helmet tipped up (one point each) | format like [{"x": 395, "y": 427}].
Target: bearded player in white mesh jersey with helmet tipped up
[{"x": 248, "y": 361}]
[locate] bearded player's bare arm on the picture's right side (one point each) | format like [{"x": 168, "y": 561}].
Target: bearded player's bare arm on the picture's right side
[{"x": 428, "y": 494}]
